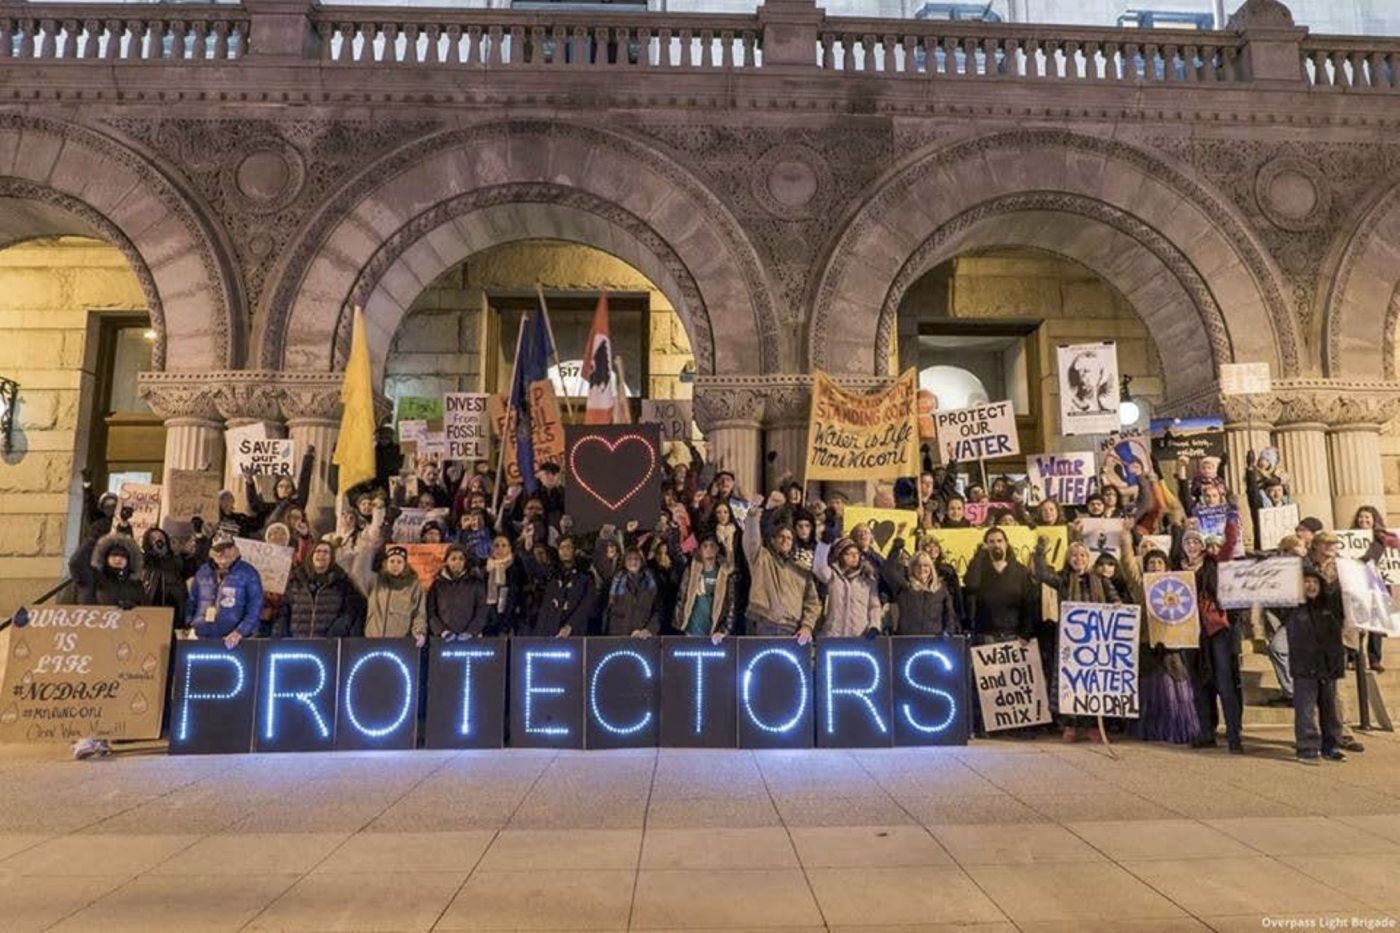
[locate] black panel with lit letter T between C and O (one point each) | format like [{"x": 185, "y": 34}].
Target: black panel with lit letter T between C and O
[{"x": 698, "y": 697}]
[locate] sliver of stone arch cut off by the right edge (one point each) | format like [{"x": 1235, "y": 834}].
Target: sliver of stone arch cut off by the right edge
[{"x": 1363, "y": 306}]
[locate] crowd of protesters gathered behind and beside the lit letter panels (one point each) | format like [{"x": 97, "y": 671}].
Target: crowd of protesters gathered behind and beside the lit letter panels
[{"x": 719, "y": 562}]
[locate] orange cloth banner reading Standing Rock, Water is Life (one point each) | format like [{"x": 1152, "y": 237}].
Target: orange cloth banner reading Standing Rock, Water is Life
[{"x": 853, "y": 436}]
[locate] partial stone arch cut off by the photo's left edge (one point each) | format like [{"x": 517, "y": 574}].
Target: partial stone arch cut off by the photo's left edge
[{"x": 65, "y": 180}]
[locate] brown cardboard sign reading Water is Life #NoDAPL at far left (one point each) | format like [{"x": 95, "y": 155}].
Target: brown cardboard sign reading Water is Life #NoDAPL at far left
[{"x": 86, "y": 672}]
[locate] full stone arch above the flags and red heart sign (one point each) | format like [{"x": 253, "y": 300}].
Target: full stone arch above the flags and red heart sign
[{"x": 432, "y": 204}]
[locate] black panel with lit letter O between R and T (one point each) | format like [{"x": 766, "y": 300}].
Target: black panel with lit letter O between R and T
[{"x": 379, "y": 694}]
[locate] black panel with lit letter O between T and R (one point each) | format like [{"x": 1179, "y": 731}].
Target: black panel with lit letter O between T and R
[{"x": 775, "y": 689}]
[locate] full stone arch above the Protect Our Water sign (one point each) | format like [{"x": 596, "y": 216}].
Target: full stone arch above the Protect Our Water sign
[{"x": 1174, "y": 249}]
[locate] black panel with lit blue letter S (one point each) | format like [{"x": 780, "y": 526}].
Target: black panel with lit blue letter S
[{"x": 930, "y": 680}]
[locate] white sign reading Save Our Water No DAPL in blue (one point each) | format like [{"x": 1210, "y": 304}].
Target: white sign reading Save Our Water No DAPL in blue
[{"x": 1098, "y": 661}]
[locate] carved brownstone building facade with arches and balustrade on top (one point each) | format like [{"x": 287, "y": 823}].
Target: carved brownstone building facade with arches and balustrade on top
[{"x": 785, "y": 180}]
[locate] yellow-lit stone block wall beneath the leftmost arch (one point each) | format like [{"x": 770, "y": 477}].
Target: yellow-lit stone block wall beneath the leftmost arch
[{"x": 47, "y": 292}]
